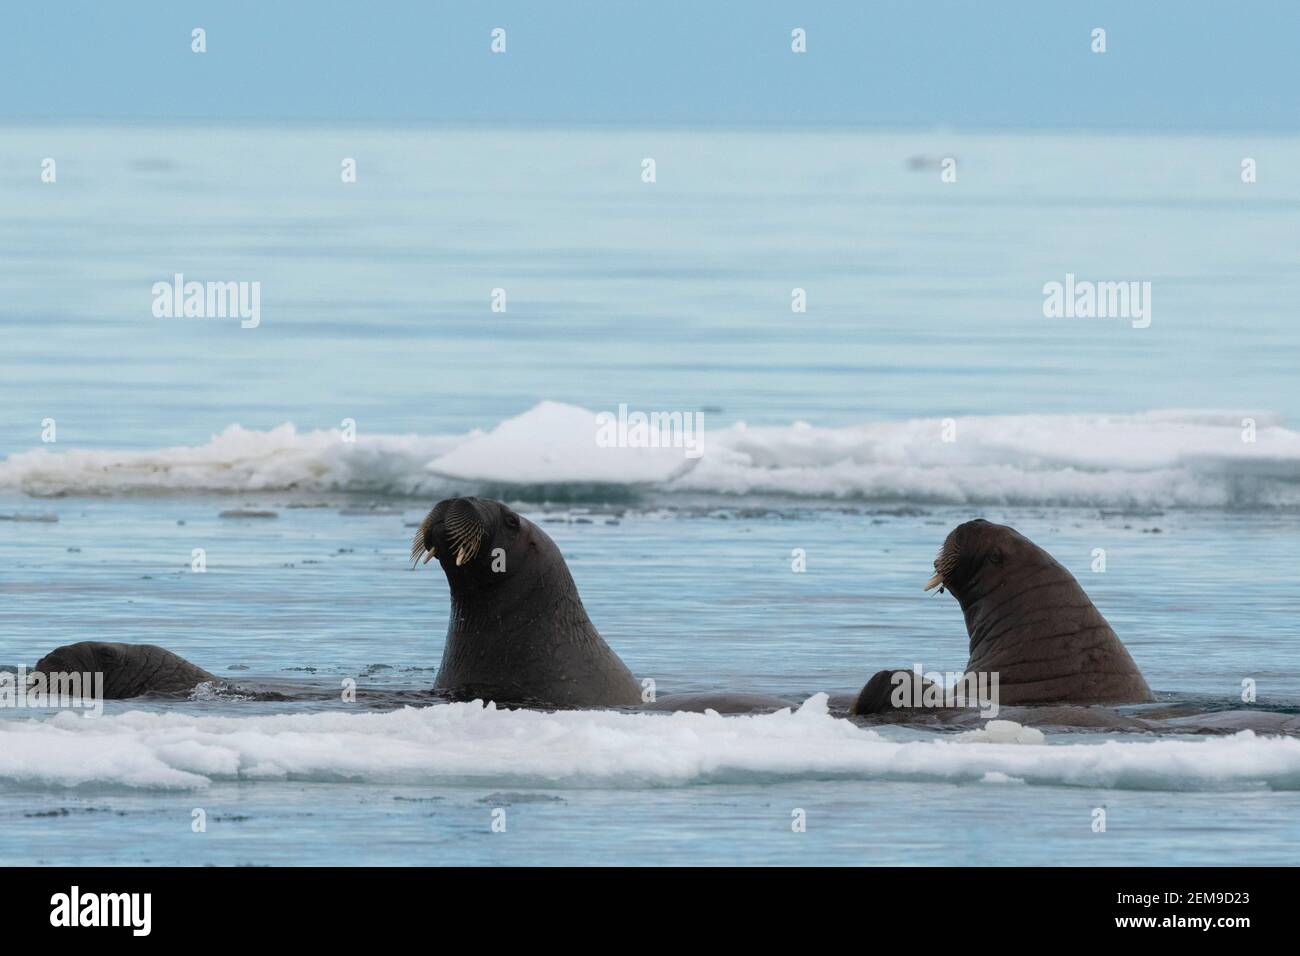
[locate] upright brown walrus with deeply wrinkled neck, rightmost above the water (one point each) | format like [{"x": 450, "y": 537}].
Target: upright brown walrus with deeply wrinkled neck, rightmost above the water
[{"x": 1032, "y": 622}]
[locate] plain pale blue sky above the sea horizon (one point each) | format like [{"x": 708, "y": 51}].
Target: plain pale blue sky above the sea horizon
[{"x": 1171, "y": 64}]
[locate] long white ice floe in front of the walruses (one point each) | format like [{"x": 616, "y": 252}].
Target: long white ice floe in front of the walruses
[{"x": 471, "y": 745}]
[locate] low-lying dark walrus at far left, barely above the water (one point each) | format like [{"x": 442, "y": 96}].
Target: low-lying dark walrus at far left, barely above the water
[{"x": 131, "y": 671}]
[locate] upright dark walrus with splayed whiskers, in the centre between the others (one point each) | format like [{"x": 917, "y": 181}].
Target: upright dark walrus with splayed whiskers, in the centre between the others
[{"x": 518, "y": 633}]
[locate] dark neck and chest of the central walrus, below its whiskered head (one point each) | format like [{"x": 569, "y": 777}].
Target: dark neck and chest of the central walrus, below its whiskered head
[{"x": 528, "y": 641}]
